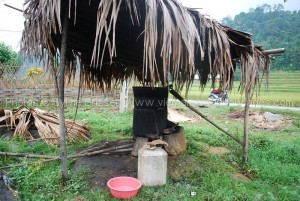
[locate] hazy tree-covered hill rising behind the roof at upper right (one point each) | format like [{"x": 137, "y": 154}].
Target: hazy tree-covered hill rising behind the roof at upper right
[{"x": 272, "y": 27}]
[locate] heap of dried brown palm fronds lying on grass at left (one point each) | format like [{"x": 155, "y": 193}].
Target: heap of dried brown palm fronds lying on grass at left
[{"x": 47, "y": 125}]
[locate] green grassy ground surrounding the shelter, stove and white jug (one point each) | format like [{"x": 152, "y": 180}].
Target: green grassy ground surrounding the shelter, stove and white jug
[{"x": 274, "y": 155}]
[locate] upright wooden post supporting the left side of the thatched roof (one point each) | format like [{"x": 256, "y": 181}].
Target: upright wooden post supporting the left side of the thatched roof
[{"x": 61, "y": 94}]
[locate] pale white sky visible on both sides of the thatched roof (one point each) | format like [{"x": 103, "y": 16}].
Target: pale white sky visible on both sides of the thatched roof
[{"x": 11, "y": 21}]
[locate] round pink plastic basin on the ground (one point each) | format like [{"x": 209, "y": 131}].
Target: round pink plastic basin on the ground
[{"x": 124, "y": 187}]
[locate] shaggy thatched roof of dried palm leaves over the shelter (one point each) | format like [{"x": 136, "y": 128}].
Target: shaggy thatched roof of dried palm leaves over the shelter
[{"x": 145, "y": 38}]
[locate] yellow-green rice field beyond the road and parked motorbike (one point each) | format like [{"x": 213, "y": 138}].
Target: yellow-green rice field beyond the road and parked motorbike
[{"x": 284, "y": 89}]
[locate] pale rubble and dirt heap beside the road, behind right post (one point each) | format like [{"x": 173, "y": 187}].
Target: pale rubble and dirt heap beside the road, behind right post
[{"x": 260, "y": 121}]
